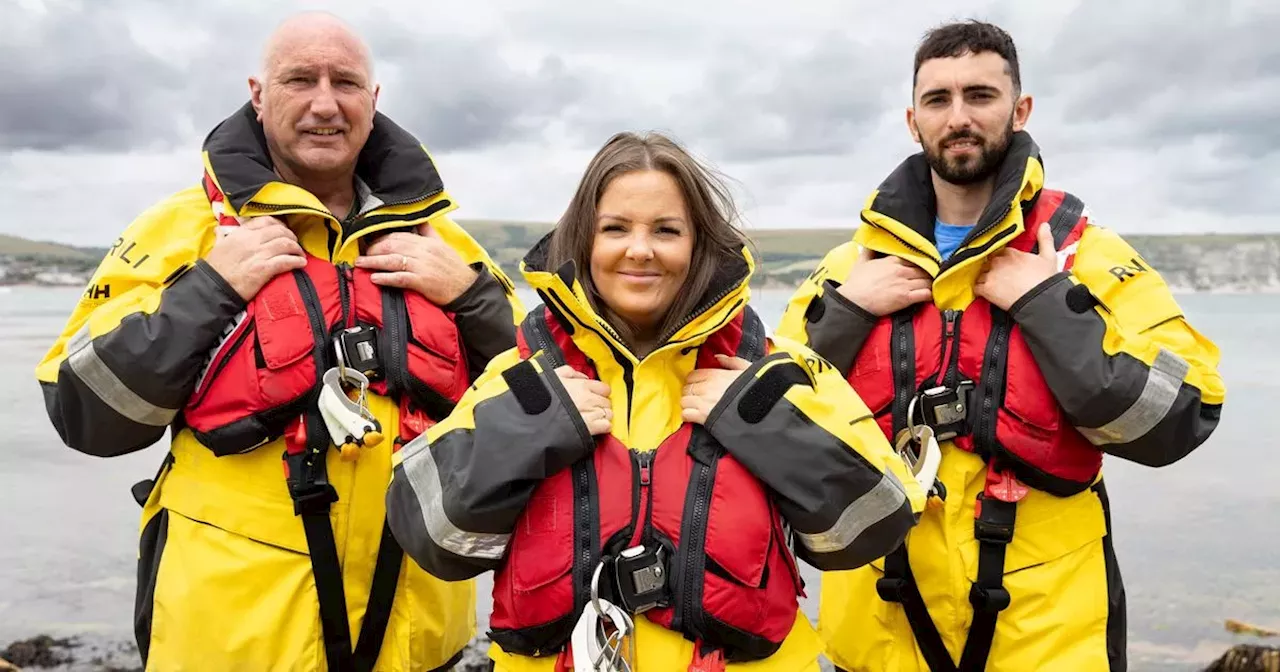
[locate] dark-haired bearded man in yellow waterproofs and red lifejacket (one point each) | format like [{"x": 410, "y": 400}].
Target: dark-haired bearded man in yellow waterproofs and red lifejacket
[{"x": 1005, "y": 344}]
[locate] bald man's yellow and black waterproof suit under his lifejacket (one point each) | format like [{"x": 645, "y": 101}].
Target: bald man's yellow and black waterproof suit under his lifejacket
[{"x": 225, "y": 578}]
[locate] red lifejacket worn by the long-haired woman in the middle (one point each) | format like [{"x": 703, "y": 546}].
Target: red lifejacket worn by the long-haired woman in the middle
[{"x": 733, "y": 578}]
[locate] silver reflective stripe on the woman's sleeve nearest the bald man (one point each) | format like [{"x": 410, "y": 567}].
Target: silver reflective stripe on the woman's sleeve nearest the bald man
[{"x": 424, "y": 478}]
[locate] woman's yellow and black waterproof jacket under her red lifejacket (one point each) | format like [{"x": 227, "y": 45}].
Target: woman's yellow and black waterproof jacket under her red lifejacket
[{"x": 463, "y": 487}]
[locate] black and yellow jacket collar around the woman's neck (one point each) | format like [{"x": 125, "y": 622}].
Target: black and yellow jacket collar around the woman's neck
[{"x": 561, "y": 291}]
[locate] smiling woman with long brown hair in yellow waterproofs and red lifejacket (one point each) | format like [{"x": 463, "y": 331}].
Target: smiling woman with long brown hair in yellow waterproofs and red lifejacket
[{"x": 634, "y": 464}]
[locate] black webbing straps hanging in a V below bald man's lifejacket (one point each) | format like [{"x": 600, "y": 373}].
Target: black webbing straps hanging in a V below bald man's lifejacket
[{"x": 313, "y": 495}]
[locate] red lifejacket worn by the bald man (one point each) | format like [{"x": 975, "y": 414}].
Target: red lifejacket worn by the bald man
[{"x": 267, "y": 371}]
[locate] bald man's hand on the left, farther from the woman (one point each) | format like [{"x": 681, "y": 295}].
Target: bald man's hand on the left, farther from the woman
[{"x": 250, "y": 255}]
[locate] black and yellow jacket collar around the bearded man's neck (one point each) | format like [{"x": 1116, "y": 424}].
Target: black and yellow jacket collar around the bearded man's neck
[{"x": 900, "y": 214}]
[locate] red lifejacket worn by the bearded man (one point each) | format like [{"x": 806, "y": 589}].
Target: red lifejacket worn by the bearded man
[{"x": 1012, "y": 415}]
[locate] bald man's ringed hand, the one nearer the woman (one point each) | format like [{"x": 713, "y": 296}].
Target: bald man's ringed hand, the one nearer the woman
[{"x": 423, "y": 263}]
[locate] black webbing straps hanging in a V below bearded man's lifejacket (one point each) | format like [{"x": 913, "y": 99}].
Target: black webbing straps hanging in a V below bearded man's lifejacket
[{"x": 994, "y": 529}]
